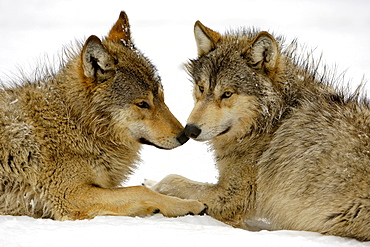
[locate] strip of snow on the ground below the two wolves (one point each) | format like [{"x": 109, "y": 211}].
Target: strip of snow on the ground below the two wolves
[{"x": 153, "y": 231}]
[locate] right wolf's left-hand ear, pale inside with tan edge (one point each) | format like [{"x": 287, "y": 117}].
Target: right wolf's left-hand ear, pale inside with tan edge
[{"x": 206, "y": 38}]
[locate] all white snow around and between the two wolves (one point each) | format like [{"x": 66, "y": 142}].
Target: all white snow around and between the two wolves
[{"x": 164, "y": 32}]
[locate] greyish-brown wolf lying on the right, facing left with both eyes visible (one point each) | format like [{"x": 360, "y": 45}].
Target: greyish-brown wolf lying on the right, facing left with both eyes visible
[{"x": 291, "y": 147}]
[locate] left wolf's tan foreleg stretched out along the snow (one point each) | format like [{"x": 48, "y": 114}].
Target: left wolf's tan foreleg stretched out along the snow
[{"x": 92, "y": 201}]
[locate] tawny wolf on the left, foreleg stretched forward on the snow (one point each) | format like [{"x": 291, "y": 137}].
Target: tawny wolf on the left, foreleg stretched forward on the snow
[{"x": 71, "y": 137}]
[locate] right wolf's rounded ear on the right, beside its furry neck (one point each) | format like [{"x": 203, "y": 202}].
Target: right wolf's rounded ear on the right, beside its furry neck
[{"x": 263, "y": 52}]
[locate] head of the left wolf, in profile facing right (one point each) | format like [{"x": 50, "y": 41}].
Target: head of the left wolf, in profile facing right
[{"x": 123, "y": 88}]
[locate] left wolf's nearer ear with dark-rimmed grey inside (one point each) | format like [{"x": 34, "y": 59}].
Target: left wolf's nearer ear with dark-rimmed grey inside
[{"x": 96, "y": 61}]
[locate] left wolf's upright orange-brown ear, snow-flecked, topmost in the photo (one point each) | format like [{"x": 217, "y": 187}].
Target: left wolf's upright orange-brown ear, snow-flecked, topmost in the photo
[{"x": 120, "y": 31}]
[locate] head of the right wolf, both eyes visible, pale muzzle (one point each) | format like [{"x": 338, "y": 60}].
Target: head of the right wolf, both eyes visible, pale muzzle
[{"x": 232, "y": 76}]
